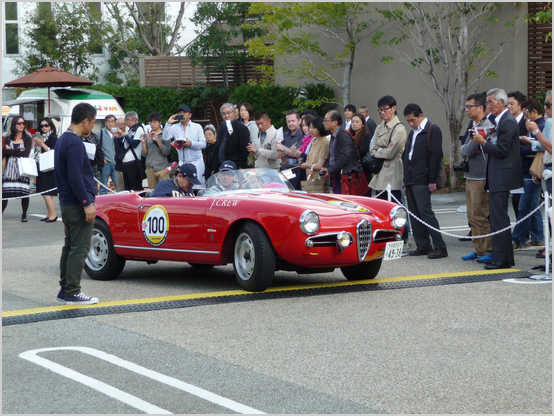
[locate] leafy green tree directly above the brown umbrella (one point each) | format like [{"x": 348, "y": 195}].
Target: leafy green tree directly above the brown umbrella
[{"x": 56, "y": 36}]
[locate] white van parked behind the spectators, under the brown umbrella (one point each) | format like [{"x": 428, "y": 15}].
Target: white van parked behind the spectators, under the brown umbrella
[{"x": 32, "y": 105}]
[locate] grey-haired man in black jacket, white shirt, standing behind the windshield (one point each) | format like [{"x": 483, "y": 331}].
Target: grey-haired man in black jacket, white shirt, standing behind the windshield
[{"x": 233, "y": 138}]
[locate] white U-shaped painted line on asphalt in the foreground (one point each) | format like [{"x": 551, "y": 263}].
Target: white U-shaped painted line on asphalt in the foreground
[{"x": 121, "y": 395}]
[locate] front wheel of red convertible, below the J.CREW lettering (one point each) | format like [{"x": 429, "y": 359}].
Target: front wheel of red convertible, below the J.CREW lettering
[{"x": 254, "y": 258}]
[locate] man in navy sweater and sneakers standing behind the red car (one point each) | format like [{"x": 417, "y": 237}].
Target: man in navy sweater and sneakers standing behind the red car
[{"x": 76, "y": 188}]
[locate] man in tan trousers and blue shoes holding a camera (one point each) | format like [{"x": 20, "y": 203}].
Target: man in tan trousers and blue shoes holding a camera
[{"x": 475, "y": 168}]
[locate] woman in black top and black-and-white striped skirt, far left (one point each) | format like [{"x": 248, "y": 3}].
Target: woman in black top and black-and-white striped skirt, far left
[{"x": 14, "y": 185}]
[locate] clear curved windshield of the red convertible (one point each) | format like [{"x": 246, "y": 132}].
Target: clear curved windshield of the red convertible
[{"x": 247, "y": 179}]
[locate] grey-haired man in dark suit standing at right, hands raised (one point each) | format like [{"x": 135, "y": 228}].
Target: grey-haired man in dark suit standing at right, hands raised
[{"x": 504, "y": 173}]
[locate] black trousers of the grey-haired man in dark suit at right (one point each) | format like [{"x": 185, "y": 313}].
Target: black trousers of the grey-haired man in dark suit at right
[{"x": 502, "y": 248}]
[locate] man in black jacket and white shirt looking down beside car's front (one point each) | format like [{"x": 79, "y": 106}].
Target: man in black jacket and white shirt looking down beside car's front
[{"x": 421, "y": 160}]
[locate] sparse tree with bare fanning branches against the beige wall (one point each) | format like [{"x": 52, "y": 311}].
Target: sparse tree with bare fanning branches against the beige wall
[{"x": 447, "y": 49}]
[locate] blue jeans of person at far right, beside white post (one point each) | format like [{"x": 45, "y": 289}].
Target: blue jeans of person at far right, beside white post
[{"x": 533, "y": 225}]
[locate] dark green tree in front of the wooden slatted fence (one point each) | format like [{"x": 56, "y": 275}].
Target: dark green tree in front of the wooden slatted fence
[{"x": 221, "y": 38}]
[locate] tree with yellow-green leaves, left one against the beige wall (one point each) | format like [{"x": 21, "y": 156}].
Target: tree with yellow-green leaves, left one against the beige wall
[{"x": 308, "y": 31}]
